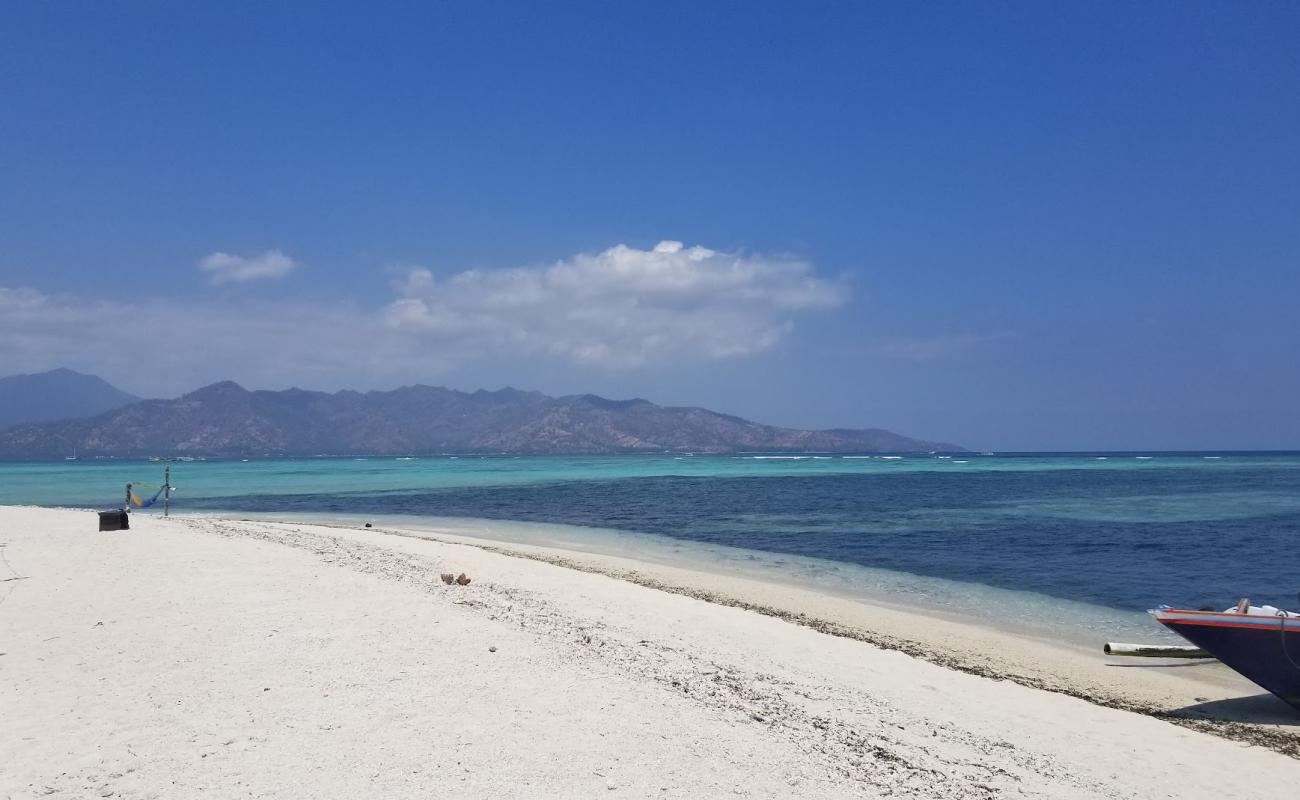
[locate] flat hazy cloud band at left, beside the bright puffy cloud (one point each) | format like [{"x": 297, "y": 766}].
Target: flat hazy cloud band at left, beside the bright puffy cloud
[{"x": 163, "y": 348}]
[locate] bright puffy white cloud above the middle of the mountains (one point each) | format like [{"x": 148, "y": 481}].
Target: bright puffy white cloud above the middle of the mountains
[{"x": 621, "y": 308}]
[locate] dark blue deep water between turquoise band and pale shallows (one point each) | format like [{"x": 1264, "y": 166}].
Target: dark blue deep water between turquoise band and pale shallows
[{"x": 1124, "y": 538}]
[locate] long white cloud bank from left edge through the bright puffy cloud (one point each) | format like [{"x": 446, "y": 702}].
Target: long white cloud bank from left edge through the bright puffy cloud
[{"x": 618, "y": 309}]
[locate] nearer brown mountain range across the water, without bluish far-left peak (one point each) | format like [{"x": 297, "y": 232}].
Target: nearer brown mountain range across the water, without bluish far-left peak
[{"x": 228, "y": 421}]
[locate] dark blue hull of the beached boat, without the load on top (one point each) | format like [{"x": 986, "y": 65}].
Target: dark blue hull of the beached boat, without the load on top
[{"x": 1268, "y": 656}]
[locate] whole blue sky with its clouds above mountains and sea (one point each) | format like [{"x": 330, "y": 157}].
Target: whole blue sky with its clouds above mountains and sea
[{"x": 1008, "y": 226}]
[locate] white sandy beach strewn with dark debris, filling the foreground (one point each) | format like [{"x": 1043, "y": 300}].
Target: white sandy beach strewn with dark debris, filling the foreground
[{"x": 249, "y": 659}]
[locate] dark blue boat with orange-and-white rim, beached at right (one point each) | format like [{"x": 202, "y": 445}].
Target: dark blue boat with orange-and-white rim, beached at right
[{"x": 1260, "y": 643}]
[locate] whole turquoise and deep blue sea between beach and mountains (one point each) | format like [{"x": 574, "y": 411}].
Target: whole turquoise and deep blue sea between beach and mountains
[{"x": 1072, "y": 546}]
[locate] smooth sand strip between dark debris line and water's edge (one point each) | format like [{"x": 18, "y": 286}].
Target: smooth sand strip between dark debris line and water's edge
[{"x": 1201, "y": 694}]
